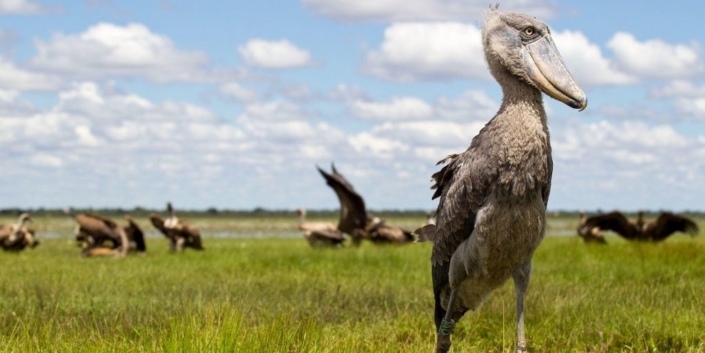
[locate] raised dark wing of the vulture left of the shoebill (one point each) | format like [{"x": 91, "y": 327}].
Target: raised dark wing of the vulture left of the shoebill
[{"x": 352, "y": 207}]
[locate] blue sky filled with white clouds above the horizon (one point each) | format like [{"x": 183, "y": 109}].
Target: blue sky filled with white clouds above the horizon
[{"x": 232, "y": 104}]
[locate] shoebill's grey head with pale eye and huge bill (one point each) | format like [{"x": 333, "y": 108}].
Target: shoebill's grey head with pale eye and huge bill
[{"x": 522, "y": 46}]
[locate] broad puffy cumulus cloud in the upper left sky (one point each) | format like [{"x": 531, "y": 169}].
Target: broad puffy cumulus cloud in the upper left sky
[{"x": 107, "y": 50}]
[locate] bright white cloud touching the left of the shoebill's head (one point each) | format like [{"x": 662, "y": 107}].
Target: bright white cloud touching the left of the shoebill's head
[{"x": 429, "y": 51}]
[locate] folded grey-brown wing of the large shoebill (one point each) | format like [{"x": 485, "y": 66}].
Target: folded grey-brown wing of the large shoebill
[{"x": 462, "y": 186}]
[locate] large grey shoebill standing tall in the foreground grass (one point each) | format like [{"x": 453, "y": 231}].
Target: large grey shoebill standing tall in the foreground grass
[{"x": 491, "y": 216}]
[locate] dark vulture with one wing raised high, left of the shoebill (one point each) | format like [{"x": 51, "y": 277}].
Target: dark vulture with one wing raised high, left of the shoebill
[{"x": 354, "y": 220}]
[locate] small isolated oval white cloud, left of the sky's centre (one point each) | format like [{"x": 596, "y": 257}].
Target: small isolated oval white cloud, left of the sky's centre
[{"x": 280, "y": 54}]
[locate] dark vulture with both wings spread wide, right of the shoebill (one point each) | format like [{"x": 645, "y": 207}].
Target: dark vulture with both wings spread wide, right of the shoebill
[{"x": 654, "y": 231}]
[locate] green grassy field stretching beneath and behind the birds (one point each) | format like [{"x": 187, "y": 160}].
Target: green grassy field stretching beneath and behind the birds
[{"x": 275, "y": 294}]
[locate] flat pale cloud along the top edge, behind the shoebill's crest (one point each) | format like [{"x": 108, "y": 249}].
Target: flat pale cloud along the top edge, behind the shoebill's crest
[{"x": 422, "y": 10}]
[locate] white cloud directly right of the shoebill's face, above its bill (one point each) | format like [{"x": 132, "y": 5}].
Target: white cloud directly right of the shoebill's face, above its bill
[{"x": 586, "y": 63}]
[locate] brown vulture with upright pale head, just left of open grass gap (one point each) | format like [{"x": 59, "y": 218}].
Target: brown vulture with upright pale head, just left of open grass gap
[{"x": 179, "y": 233}]
